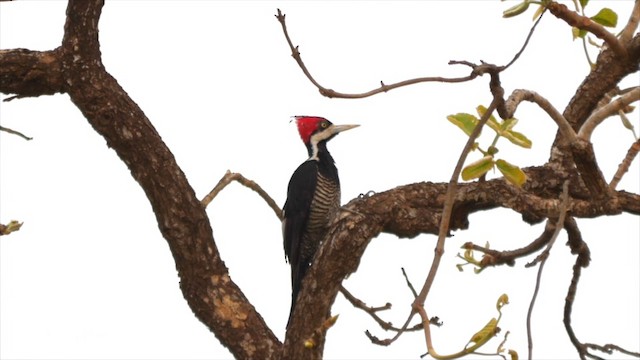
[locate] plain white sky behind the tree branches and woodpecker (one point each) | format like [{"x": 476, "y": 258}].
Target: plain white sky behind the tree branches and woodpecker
[{"x": 89, "y": 275}]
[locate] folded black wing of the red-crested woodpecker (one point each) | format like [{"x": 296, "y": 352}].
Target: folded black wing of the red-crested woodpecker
[{"x": 296, "y": 209}]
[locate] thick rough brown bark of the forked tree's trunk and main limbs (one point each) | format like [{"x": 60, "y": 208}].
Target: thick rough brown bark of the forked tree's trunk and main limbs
[{"x": 75, "y": 68}]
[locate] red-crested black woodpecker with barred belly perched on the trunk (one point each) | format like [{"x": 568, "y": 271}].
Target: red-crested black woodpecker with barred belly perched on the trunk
[{"x": 313, "y": 198}]
